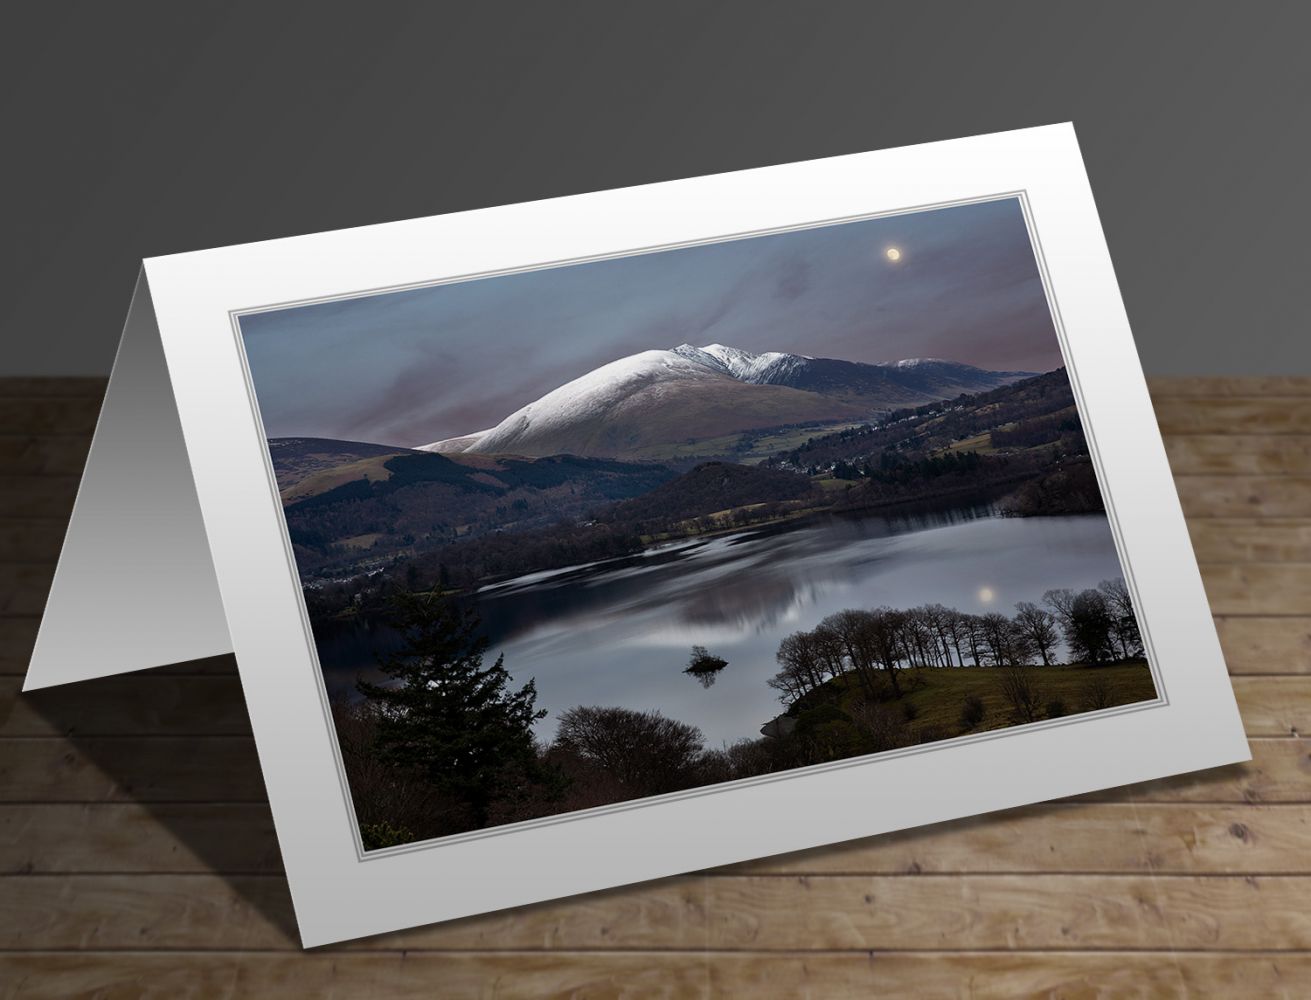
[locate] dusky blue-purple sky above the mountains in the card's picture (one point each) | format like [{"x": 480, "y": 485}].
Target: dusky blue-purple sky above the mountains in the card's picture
[{"x": 412, "y": 368}]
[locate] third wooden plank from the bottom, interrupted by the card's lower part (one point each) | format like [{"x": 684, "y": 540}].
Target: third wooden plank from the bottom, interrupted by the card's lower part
[{"x": 1122, "y": 838}]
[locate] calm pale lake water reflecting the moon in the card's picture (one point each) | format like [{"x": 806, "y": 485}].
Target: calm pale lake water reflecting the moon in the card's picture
[{"x": 621, "y": 632}]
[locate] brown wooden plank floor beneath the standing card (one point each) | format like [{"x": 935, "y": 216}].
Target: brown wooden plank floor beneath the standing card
[{"x": 138, "y": 856}]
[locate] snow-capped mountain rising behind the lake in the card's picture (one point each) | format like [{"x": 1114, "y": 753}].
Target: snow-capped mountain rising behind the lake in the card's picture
[{"x": 661, "y": 398}]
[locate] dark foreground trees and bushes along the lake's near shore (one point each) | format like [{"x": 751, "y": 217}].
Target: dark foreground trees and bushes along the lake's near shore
[{"x": 448, "y": 744}]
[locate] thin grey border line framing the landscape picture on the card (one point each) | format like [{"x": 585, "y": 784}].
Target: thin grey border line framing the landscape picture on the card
[{"x": 362, "y": 856}]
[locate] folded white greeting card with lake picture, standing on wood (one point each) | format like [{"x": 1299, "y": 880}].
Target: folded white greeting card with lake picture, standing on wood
[{"x": 593, "y": 541}]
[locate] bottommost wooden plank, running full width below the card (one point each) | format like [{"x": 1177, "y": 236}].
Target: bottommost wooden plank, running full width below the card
[{"x": 928, "y": 976}]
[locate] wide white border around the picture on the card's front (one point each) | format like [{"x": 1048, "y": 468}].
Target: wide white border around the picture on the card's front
[{"x": 336, "y": 894}]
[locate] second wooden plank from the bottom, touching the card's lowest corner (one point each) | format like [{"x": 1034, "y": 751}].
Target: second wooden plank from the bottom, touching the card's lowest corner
[{"x": 762, "y": 913}]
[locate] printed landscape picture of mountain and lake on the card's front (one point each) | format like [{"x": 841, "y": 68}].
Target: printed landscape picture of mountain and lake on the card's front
[{"x": 608, "y": 531}]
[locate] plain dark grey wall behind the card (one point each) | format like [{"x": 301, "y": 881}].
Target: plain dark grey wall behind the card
[{"x": 141, "y": 129}]
